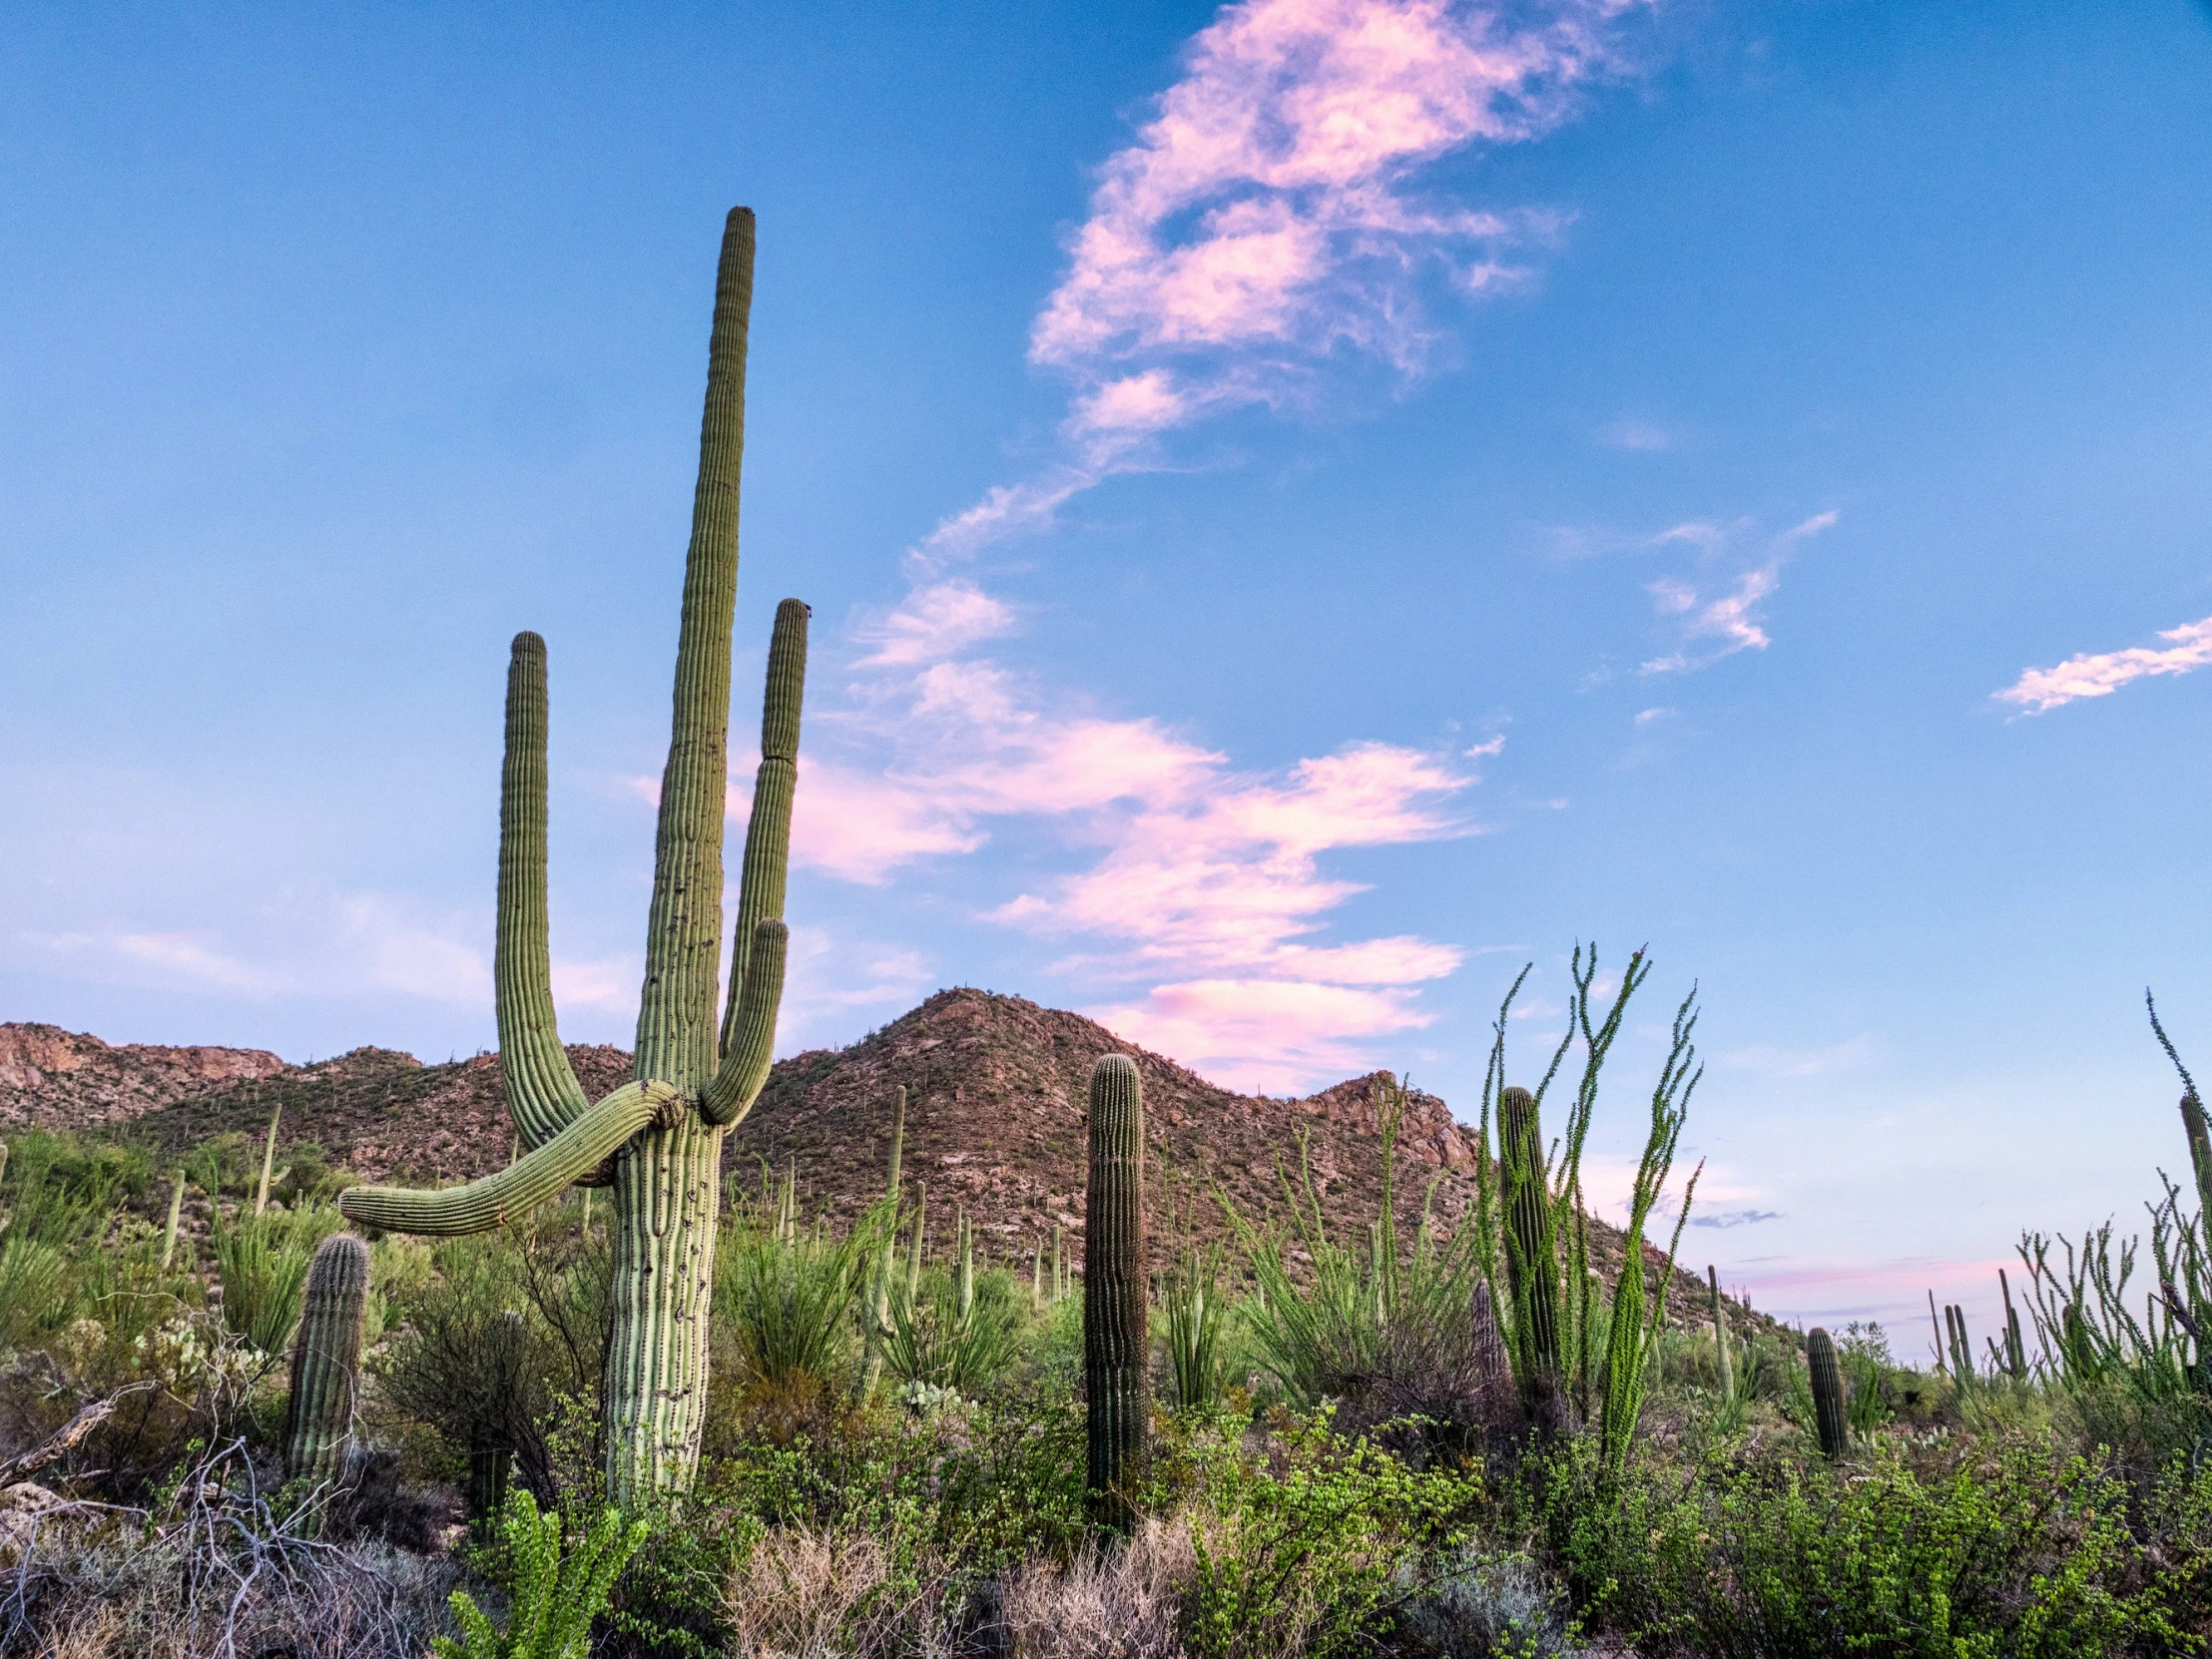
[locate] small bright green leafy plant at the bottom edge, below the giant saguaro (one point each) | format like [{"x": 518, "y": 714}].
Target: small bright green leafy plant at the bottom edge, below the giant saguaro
[{"x": 556, "y": 1594}]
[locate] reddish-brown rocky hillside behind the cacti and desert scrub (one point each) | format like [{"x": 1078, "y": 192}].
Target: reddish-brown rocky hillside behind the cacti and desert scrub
[{"x": 994, "y": 1120}]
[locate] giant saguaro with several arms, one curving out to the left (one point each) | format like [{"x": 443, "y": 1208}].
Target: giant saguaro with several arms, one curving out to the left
[{"x": 656, "y": 1140}]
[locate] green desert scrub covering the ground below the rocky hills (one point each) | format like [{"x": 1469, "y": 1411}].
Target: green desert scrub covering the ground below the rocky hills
[{"x": 1350, "y": 1443}]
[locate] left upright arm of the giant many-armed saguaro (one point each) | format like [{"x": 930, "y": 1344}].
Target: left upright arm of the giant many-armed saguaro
[{"x": 543, "y": 1092}]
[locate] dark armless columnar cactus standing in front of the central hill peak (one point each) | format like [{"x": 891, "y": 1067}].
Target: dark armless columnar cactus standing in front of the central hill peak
[{"x": 1118, "y": 1350}]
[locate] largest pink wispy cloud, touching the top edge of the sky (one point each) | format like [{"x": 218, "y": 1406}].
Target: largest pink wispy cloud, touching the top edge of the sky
[{"x": 1266, "y": 220}]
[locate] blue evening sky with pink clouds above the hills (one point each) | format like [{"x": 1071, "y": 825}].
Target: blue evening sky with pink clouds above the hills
[{"x": 1308, "y": 508}]
